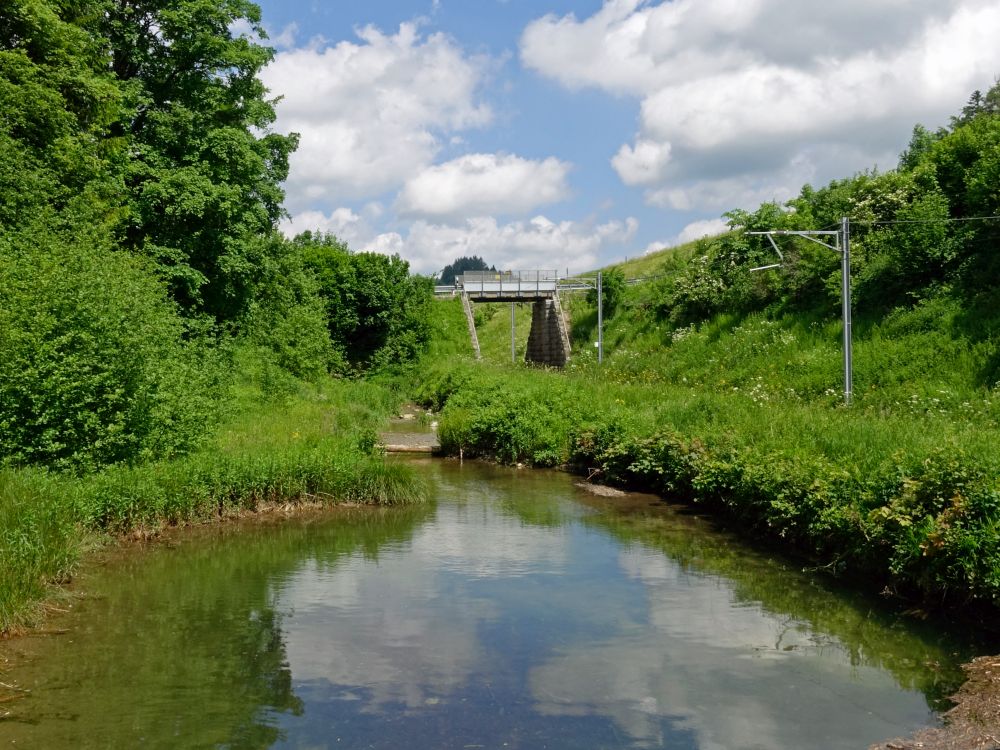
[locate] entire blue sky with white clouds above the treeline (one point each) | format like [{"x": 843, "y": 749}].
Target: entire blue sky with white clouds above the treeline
[{"x": 559, "y": 134}]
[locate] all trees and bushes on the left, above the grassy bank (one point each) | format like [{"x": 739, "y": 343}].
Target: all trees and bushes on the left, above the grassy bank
[{"x": 140, "y": 190}]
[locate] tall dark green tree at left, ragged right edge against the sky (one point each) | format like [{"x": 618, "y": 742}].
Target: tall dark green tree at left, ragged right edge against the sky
[{"x": 204, "y": 175}]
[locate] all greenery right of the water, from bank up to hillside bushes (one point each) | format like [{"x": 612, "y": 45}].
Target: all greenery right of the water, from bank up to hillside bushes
[{"x": 724, "y": 387}]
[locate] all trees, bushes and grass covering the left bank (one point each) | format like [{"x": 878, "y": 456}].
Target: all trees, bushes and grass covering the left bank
[{"x": 158, "y": 332}]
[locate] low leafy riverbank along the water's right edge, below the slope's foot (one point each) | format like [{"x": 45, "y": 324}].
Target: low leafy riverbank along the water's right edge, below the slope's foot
[{"x": 908, "y": 506}]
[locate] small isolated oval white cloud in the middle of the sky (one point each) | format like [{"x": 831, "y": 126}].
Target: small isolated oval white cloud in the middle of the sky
[{"x": 484, "y": 184}]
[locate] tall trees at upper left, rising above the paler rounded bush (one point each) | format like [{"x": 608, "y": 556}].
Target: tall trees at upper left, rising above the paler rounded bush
[{"x": 169, "y": 143}]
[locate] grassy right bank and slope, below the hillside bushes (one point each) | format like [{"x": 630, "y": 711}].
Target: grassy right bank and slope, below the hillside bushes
[{"x": 743, "y": 413}]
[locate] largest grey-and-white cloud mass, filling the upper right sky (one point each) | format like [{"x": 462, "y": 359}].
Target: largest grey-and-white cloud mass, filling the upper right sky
[{"x": 738, "y": 94}]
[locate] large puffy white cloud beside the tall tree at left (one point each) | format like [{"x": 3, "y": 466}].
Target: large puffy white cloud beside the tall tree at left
[{"x": 372, "y": 113}]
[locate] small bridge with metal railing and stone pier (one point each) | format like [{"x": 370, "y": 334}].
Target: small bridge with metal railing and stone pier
[{"x": 548, "y": 341}]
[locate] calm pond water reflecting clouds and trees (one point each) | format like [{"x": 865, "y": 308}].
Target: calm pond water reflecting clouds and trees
[{"x": 516, "y": 610}]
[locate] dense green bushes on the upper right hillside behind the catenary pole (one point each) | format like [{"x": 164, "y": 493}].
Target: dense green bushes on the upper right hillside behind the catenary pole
[{"x": 906, "y": 246}]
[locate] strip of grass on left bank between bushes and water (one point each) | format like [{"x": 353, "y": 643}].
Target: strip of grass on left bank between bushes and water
[{"x": 316, "y": 443}]
